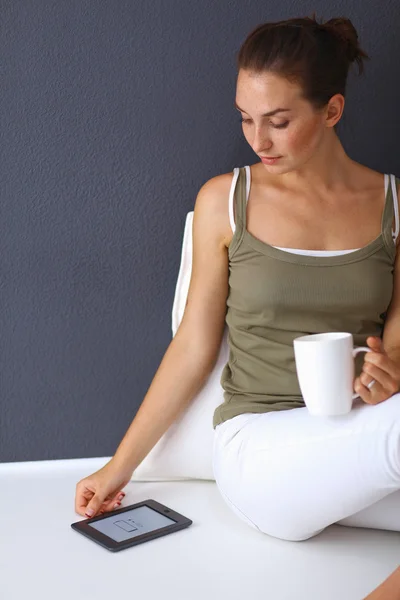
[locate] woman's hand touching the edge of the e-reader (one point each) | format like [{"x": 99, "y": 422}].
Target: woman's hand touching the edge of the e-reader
[{"x": 101, "y": 491}]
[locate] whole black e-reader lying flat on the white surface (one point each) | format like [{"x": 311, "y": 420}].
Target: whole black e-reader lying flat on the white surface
[{"x": 132, "y": 525}]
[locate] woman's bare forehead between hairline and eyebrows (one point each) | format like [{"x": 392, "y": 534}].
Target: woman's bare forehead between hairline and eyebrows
[{"x": 266, "y": 88}]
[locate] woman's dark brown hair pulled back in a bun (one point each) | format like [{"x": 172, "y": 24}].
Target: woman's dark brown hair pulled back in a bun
[{"x": 315, "y": 55}]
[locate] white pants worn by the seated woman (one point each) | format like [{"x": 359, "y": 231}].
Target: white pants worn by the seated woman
[{"x": 290, "y": 474}]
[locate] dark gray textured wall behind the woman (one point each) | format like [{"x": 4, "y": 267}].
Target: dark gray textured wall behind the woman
[{"x": 113, "y": 114}]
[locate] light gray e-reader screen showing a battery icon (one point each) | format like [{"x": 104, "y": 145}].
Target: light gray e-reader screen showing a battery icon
[{"x": 129, "y": 524}]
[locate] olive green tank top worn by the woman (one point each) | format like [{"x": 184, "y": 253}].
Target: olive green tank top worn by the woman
[{"x": 276, "y": 296}]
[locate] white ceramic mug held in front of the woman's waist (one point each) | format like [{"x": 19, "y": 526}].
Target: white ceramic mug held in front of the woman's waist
[{"x": 325, "y": 370}]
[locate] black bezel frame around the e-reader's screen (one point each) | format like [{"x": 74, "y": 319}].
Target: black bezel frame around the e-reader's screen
[{"x": 84, "y": 528}]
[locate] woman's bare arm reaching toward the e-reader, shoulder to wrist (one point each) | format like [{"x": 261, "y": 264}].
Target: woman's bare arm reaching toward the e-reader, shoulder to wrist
[{"x": 191, "y": 355}]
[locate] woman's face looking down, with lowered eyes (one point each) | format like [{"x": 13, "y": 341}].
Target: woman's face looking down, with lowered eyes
[{"x": 294, "y": 134}]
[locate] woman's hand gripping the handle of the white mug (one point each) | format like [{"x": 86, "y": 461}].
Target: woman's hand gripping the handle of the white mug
[{"x": 379, "y": 367}]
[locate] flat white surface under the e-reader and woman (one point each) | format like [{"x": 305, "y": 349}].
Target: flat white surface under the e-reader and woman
[{"x": 218, "y": 557}]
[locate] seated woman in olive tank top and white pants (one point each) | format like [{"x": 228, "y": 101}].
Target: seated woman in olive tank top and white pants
[{"x": 311, "y": 246}]
